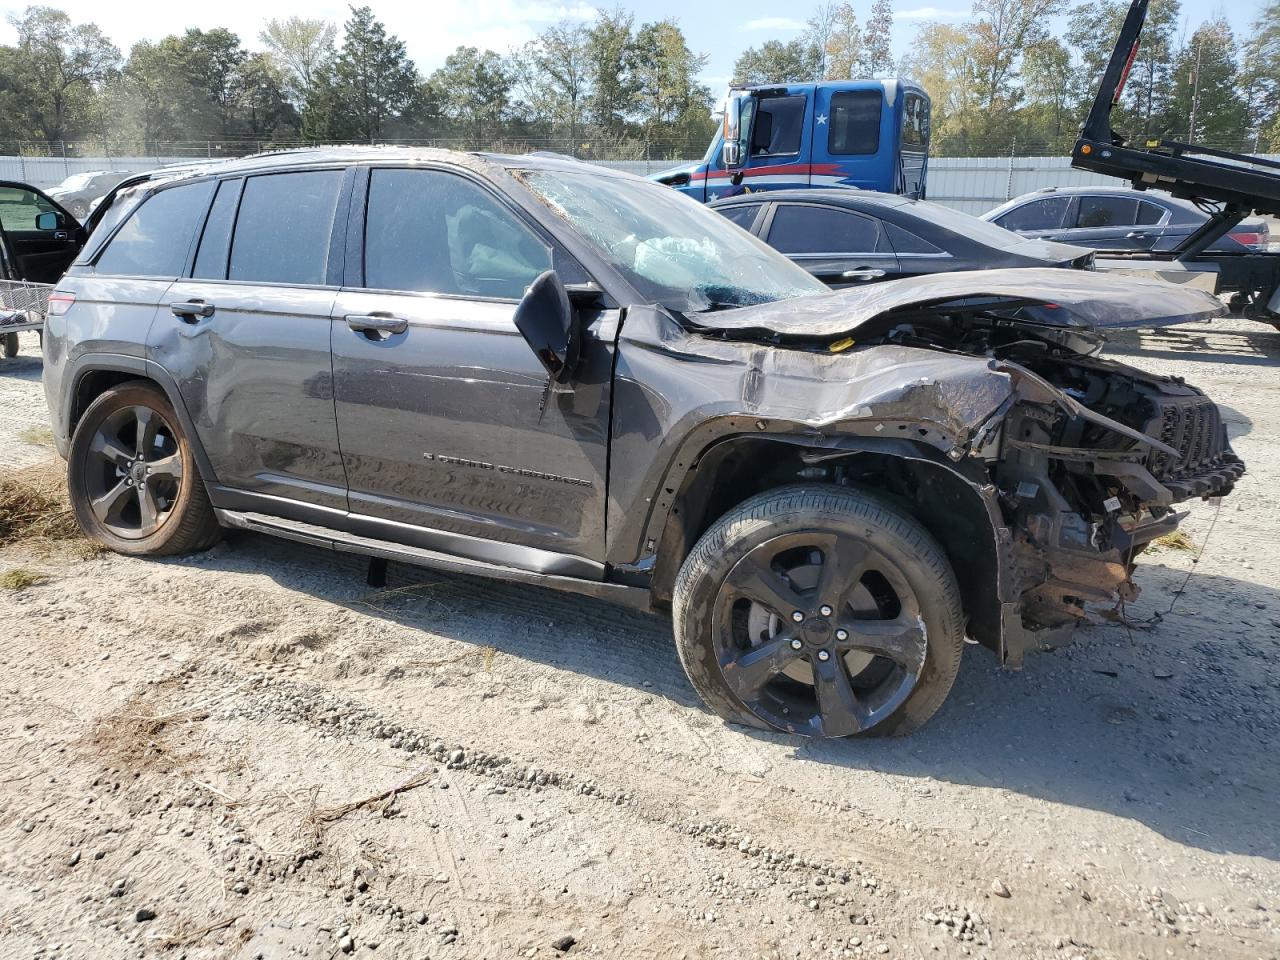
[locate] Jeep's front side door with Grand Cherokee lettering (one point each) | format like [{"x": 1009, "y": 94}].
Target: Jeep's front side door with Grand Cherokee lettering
[{"x": 451, "y": 437}]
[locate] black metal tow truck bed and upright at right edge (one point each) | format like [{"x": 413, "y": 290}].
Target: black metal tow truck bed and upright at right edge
[{"x": 1226, "y": 186}]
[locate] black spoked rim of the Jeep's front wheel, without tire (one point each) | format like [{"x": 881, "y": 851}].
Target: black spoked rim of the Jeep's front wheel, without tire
[{"x": 842, "y": 614}]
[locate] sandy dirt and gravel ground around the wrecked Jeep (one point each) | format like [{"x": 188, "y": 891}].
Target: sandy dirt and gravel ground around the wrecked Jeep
[{"x": 252, "y": 755}]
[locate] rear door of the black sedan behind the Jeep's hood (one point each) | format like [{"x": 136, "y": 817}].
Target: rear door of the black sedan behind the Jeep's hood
[{"x": 838, "y": 246}]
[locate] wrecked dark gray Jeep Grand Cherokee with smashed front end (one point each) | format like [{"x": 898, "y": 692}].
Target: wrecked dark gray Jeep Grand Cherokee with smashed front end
[{"x": 545, "y": 372}]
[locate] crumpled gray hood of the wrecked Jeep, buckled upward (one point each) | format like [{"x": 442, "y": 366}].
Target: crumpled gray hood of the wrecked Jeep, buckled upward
[{"x": 1078, "y": 299}]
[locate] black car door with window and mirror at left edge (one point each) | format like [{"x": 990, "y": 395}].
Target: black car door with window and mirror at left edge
[{"x": 38, "y": 250}]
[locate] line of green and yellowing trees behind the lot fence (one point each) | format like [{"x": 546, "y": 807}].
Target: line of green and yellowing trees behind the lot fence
[{"x": 1003, "y": 81}]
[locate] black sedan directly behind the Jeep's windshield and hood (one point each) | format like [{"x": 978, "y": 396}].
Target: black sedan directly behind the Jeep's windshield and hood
[{"x": 849, "y": 236}]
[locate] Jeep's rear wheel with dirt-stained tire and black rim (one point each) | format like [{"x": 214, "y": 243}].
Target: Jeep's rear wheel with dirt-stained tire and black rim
[{"x": 129, "y": 451}]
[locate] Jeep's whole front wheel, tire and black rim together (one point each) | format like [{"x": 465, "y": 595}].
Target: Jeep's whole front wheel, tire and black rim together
[{"x": 820, "y": 611}]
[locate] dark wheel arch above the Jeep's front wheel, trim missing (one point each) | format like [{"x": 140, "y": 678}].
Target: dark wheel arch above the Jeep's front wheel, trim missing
[{"x": 959, "y": 511}]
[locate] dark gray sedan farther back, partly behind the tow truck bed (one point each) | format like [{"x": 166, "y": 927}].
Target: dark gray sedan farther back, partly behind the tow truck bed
[{"x": 1118, "y": 218}]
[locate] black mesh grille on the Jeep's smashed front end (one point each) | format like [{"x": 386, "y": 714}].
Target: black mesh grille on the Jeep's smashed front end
[{"x": 1194, "y": 427}]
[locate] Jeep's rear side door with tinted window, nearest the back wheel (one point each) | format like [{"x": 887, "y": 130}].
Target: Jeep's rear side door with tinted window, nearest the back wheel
[{"x": 248, "y": 340}]
